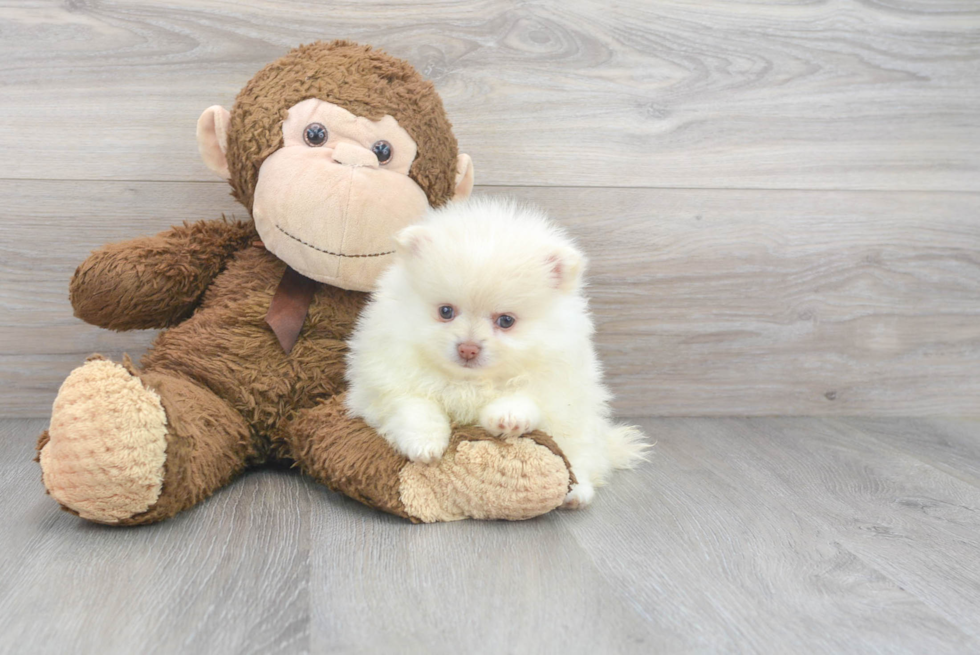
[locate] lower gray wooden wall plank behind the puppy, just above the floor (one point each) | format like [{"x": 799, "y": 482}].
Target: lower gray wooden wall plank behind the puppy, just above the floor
[{"x": 708, "y": 302}]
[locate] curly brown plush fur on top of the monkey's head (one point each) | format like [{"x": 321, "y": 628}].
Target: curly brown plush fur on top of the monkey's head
[{"x": 362, "y": 80}]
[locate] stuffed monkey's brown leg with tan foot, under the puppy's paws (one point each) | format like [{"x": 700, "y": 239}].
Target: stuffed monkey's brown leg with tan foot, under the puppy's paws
[{"x": 478, "y": 475}]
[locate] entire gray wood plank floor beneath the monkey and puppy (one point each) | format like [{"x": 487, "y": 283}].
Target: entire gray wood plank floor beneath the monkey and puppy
[{"x": 740, "y": 535}]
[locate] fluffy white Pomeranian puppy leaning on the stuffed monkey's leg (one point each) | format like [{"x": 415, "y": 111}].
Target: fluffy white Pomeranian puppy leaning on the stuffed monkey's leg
[{"x": 481, "y": 319}]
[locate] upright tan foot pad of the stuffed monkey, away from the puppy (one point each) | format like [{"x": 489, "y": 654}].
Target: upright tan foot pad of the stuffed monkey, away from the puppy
[{"x": 106, "y": 445}]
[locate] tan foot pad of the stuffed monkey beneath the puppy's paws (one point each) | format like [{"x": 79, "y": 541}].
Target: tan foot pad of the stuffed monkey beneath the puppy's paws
[{"x": 510, "y": 479}]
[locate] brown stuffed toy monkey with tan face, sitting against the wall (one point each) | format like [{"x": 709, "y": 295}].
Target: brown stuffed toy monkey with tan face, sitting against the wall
[{"x": 332, "y": 149}]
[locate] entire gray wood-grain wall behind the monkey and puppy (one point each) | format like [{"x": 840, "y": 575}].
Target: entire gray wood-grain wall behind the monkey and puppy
[{"x": 782, "y": 202}]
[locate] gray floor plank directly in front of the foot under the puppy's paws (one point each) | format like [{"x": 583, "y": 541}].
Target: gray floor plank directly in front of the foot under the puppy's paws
[{"x": 497, "y": 587}]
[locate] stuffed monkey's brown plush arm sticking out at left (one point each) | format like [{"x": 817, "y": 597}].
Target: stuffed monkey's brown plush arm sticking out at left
[{"x": 154, "y": 282}]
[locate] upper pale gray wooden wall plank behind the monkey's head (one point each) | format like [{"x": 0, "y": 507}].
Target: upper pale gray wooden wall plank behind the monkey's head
[{"x": 829, "y": 95}]
